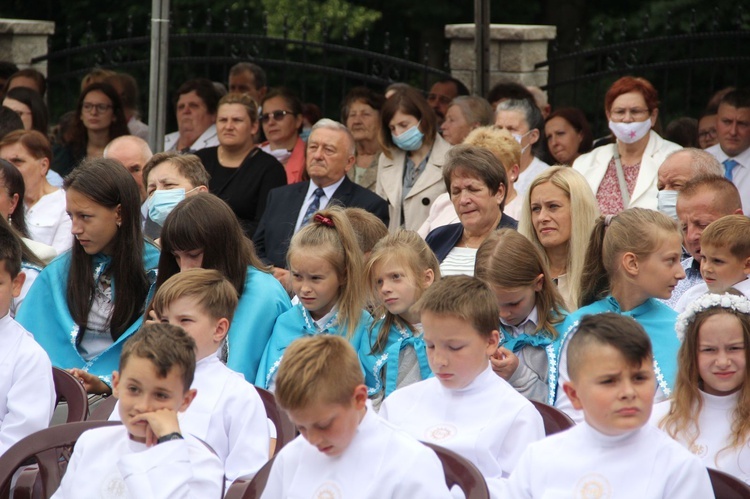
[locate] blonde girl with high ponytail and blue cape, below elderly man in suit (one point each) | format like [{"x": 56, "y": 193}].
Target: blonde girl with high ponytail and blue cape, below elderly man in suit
[{"x": 327, "y": 274}]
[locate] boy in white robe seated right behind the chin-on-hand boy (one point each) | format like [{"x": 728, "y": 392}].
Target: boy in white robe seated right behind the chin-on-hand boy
[{"x": 228, "y": 415}]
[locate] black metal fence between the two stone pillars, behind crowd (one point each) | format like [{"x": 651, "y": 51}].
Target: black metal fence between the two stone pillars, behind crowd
[{"x": 321, "y": 71}]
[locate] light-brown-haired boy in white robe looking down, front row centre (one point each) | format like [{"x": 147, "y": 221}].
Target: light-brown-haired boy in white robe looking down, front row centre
[{"x": 346, "y": 450}]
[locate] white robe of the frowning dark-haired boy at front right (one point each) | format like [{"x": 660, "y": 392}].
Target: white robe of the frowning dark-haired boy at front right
[{"x": 582, "y": 462}]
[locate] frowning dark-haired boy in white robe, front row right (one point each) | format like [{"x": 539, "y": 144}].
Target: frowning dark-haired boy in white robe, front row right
[{"x": 614, "y": 453}]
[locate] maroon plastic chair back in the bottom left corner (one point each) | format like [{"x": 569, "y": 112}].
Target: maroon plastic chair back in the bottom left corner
[{"x": 50, "y": 448}]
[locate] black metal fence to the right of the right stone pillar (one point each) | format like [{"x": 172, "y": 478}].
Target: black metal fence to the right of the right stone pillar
[{"x": 685, "y": 62}]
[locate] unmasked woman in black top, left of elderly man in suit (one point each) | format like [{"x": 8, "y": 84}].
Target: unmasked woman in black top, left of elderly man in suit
[{"x": 241, "y": 173}]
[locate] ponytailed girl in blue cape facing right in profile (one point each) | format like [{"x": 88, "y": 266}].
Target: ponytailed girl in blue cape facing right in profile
[{"x": 633, "y": 258}]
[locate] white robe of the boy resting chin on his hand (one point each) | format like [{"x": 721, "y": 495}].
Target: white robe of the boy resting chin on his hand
[{"x": 107, "y": 464}]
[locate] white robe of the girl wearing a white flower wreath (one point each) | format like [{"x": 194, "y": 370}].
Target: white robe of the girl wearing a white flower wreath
[{"x": 715, "y": 424}]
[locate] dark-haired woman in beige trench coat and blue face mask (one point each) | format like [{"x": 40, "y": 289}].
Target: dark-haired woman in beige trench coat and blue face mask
[{"x": 410, "y": 173}]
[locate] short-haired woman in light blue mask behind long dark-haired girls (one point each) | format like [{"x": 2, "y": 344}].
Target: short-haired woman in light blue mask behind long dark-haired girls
[{"x": 170, "y": 177}]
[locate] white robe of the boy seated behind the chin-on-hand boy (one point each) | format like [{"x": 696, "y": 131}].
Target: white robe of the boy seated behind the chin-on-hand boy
[{"x": 228, "y": 414}]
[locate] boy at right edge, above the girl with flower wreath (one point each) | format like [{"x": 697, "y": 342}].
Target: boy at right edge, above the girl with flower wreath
[{"x": 725, "y": 259}]
